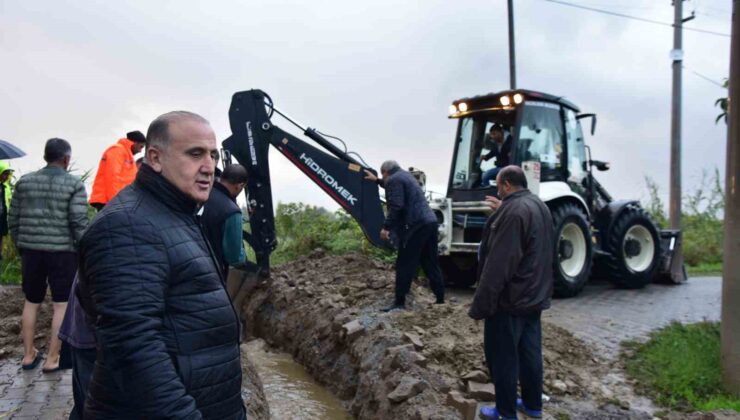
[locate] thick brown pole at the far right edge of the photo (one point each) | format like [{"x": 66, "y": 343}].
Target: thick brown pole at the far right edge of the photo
[{"x": 730, "y": 328}]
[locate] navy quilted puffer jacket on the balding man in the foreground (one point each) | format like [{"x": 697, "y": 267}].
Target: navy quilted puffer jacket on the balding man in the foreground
[{"x": 167, "y": 335}]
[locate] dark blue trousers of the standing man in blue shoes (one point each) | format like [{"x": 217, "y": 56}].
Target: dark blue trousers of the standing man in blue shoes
[{"x": 513, "y": 346}]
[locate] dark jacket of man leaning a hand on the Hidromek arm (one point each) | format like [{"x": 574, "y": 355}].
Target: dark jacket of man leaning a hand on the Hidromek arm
[{"x": 407, "y": 207}]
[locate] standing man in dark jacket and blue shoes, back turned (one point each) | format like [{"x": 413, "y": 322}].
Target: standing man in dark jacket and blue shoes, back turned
[{"x": 515, "y": 283}]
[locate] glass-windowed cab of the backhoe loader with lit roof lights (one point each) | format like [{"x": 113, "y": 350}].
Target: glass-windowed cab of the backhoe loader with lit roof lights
[{"x": 540, "y": 128}]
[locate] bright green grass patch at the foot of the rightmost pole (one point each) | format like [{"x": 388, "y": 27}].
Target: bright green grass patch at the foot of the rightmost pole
[{"x": 679, "y": 367}]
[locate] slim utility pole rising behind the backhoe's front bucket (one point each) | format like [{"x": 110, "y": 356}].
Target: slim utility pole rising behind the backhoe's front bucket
[{"x": 674, "y": 211}]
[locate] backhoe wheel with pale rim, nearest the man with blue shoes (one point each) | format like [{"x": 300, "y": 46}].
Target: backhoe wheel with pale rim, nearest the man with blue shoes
[{"x": 573, "y": 250}]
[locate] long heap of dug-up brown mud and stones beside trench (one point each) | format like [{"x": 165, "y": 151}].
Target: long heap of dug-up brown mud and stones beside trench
[{"x": 423, "y": 363}]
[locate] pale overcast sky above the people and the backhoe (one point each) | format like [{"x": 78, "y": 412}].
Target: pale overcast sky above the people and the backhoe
[{"x": 379, "y": 74}]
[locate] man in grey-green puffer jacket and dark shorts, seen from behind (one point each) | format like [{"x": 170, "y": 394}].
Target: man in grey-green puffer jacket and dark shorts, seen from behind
[{"x": 47, "y": 216}]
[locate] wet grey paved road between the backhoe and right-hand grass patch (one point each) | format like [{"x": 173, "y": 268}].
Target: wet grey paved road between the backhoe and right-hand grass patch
[{"x": 604, "y": 316}]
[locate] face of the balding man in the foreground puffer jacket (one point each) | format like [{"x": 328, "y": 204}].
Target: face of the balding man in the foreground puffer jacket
[{"x": 189, "y": 161}]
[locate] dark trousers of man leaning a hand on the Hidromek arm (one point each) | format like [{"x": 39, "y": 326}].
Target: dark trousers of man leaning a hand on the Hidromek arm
[{"x": 419, "y": 248}]
